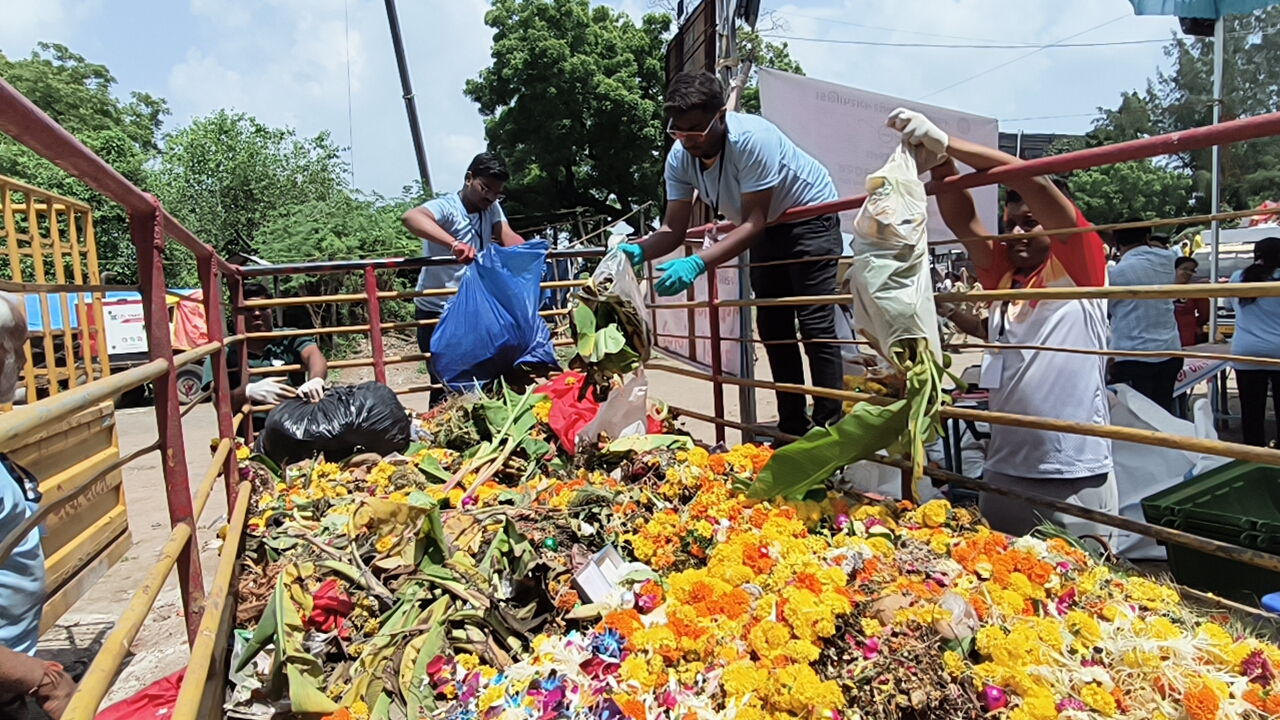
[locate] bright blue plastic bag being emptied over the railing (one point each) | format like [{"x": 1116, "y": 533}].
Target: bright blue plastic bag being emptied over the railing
[{"x": 492, "y": 325}]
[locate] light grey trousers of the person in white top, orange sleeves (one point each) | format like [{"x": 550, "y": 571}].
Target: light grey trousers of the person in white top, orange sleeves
[{"x": 1017, "y": 518}]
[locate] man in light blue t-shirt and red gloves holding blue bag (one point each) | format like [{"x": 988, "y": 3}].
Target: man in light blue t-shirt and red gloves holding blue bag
[{"x": 464, "y": 224}]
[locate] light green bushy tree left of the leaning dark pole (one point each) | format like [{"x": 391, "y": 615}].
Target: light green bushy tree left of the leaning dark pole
[{"x": 227, "y": 176}]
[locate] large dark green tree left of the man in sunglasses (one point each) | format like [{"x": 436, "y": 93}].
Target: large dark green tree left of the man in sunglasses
[{"x": 574, "y": 103}]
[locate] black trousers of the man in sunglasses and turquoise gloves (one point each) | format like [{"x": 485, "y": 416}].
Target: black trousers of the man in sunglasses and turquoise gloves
[{"x": 806, "y": 239}]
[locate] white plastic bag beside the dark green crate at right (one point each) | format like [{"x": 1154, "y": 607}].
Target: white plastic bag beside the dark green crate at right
[{"x": 1144, "y": 470}]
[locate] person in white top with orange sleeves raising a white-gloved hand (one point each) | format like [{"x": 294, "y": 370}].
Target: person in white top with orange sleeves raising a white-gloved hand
[{"x": 1059, "y": 386}]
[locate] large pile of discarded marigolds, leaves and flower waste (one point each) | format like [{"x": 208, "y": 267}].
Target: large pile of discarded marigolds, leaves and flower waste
[{"x": 441, "y": 584}]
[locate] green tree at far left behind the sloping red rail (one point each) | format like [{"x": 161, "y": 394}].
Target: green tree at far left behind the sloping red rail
[{"x": 79, "y": 95}]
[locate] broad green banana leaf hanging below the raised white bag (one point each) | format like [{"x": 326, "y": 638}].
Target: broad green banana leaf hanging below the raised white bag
[{"x": 810, "y": 462}]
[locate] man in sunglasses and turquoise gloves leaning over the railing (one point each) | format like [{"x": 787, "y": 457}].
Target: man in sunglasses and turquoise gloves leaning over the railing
[{"x": 749, "y": 174}]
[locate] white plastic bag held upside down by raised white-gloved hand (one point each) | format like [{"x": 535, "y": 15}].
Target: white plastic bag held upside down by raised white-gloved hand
[{"x": 893, "y": 286}]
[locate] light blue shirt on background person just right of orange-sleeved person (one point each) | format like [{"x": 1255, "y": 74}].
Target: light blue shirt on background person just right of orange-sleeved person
[{"x": 1144, "y": 325}]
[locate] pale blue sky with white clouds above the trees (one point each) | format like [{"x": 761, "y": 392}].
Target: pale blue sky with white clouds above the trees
[{"x": 328, "y": 66}]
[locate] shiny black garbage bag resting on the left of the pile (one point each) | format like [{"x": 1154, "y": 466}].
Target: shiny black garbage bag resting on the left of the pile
[{"x": 349, "y": 420}]
